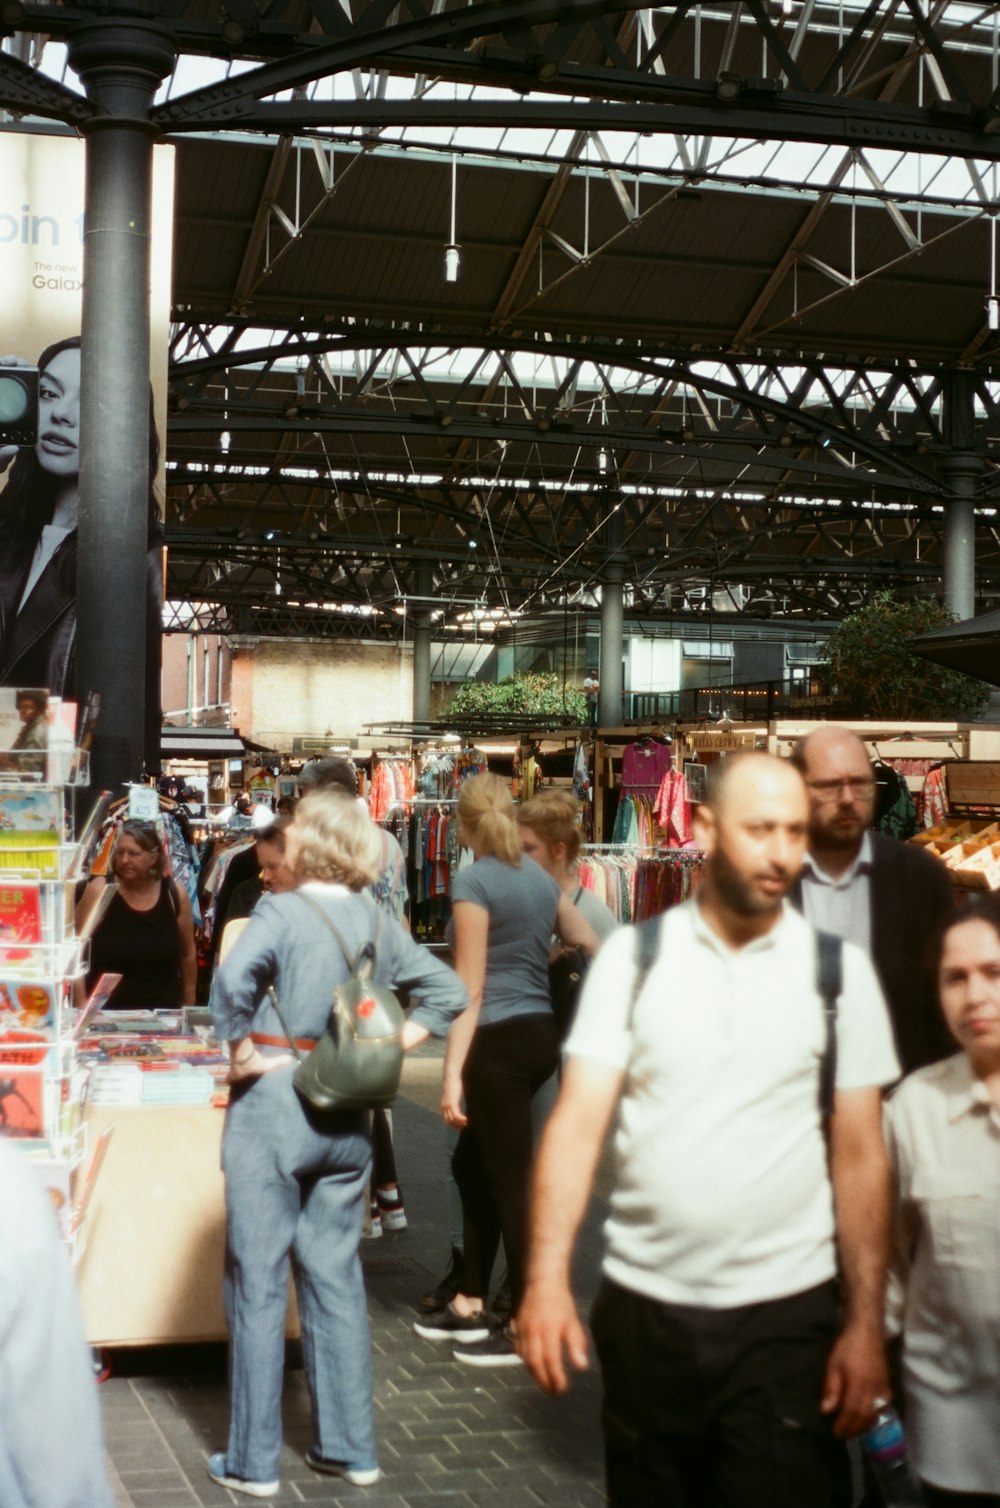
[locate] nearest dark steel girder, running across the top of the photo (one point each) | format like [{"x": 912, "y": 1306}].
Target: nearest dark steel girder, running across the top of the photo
[{"x": 692, "y": 67}]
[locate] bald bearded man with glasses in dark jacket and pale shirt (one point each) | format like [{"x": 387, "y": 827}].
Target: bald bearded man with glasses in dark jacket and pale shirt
[{"x": 874, "y": 890}]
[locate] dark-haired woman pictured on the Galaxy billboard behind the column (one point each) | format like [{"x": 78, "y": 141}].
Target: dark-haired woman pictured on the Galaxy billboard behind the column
[{"x": 38, "y": 533}]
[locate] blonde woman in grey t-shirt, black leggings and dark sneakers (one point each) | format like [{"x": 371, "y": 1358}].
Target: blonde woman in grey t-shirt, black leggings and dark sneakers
[{"x": 502, "y": 1049}]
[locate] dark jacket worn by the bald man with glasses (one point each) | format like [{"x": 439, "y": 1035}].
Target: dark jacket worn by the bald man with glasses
[{"x": 912, "y": 893}]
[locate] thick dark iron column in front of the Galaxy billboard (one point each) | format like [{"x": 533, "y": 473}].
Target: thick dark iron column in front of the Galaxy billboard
[{"x": 121, "y": 64}]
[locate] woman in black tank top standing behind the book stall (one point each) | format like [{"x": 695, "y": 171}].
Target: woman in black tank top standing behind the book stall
[{"x": 147, "y": 934}]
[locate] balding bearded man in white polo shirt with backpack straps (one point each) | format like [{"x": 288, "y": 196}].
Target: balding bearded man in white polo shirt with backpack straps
[{"x": 729, "y": 1367}]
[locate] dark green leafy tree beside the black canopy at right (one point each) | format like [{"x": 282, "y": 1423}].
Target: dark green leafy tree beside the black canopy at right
[{"x": 868, "y": 663}]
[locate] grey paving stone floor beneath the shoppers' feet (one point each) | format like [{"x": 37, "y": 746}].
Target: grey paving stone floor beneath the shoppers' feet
[{"x": 449, "y": 1435}]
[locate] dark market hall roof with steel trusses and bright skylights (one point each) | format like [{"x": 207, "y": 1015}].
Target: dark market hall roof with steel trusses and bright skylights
[{"x": 720, "y": 307}]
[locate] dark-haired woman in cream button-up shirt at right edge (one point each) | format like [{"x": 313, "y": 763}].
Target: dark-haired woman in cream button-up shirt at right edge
[{"x": 943, "y": 1133}]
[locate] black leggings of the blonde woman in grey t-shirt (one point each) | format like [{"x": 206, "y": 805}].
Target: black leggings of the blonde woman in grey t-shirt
[{"x": 492, "y": 1162}]
